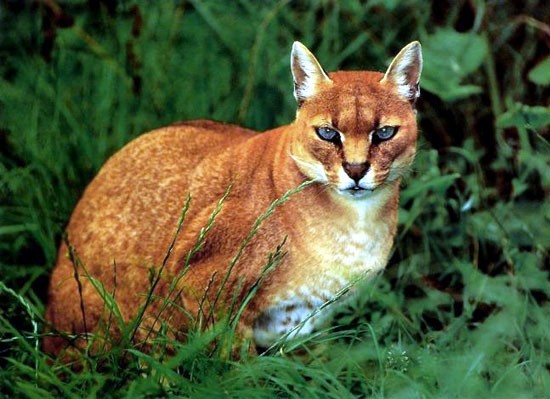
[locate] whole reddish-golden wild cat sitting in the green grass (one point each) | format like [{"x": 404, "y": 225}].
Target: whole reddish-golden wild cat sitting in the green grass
[{"x": 354, "y": 136}]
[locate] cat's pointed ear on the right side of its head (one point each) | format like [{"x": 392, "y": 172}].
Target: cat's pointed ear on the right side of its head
[{"x": 404, "y": 71}]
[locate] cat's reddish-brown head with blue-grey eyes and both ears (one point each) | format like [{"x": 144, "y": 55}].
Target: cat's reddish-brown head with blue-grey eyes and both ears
[{"x": 355, "y": 131}]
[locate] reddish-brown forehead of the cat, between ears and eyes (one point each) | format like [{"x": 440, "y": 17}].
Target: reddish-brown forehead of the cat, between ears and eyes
[{"x": 358, "y": 101}]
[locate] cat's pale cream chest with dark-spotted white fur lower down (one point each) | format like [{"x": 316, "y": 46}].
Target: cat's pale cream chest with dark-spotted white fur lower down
[{"x": 325, "y": 261}]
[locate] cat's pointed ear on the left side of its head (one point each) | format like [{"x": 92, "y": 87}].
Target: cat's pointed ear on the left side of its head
[{"x": 309, "y": 77}]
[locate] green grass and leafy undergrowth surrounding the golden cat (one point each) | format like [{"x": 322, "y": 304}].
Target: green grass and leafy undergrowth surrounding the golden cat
[{"x": 462, "y": 310}]
